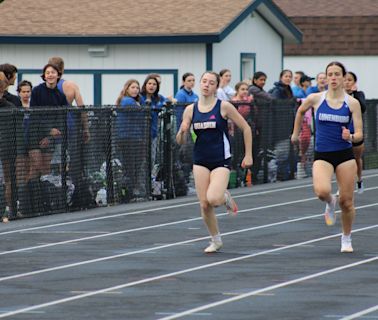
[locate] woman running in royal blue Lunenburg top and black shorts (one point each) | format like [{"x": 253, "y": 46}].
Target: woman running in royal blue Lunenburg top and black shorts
[{"x": 334, "y": 109}]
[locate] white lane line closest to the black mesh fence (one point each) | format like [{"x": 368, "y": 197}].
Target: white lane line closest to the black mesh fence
[{"x": 250, "y": 194}]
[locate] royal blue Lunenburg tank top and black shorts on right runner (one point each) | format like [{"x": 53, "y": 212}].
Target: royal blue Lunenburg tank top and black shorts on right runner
[{"x": 329, "y": 145}]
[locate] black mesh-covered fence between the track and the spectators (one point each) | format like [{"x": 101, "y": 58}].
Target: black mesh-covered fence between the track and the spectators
[{"x": 124, "y": 162}]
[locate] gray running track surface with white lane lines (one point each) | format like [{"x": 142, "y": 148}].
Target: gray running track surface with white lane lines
[{"x": 146, "y": 261}]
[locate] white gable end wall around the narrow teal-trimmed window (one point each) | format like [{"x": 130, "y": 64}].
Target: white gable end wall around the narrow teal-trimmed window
[{"x": 253, "y": 35}]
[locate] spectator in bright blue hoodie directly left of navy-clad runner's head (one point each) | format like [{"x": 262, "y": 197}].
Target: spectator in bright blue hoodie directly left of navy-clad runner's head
[{"x": 185, "y": 96}]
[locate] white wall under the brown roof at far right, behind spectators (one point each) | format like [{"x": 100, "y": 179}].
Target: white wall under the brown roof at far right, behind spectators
[{"x": 365, "y": 67}]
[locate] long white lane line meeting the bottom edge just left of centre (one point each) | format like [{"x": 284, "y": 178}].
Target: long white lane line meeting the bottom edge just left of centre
[{"x": 266, "y": 289}]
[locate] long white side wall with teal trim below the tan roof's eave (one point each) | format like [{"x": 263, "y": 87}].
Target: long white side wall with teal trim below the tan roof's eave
[{"x": 181, "y": 57}]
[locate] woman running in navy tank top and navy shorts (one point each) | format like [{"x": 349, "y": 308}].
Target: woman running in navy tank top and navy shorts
[{"x": 212, "y": 152}]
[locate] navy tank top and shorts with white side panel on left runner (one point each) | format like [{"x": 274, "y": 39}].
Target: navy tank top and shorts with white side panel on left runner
[{"x": 212, "y": 147}]
